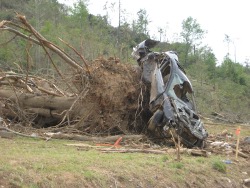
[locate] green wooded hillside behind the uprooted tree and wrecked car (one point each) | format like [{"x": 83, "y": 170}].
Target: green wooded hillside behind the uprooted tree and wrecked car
[{"x": 220, "y": 87}]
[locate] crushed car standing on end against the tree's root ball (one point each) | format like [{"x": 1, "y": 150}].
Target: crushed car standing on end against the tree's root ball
[{"x": 171, "y": 96}]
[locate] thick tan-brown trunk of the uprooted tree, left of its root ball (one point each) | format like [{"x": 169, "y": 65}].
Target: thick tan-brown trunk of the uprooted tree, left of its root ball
[{"x": 17, "y": 104}]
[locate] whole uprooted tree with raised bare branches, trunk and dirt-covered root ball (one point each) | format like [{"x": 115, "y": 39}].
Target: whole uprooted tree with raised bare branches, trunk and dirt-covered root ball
[{"x": 98, "y": 97}]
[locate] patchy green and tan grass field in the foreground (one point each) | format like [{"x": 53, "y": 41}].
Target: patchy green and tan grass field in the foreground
[{"x": 28, "y": 162}]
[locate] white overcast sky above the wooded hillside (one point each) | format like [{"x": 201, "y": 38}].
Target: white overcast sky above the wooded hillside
[{"x": 217, "y": 17}]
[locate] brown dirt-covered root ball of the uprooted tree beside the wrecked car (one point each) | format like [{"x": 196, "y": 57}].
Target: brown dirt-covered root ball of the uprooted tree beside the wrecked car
[{"x": 112, "y": 98}]
